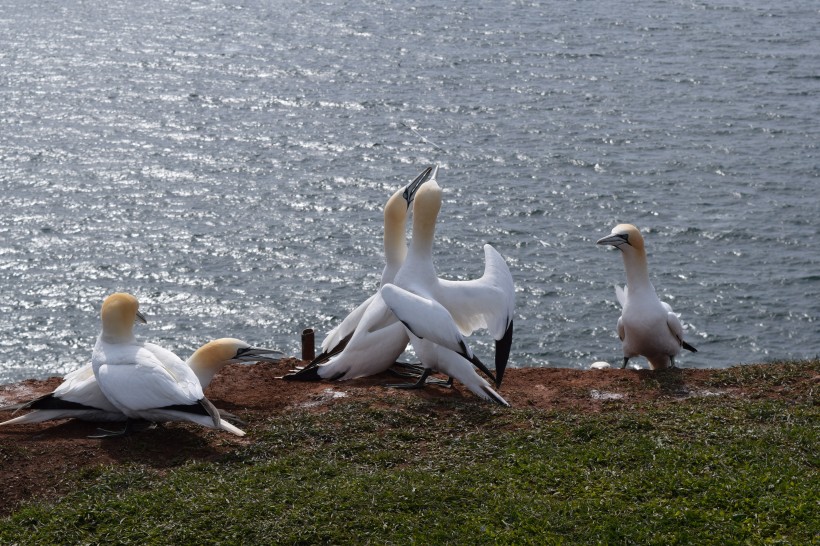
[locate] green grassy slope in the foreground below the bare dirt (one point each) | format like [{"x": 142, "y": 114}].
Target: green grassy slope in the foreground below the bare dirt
[{"x": 712, "y": 469}]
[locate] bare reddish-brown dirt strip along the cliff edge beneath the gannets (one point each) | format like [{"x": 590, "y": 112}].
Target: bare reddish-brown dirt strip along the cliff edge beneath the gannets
[{"x": 35, "y": 459}]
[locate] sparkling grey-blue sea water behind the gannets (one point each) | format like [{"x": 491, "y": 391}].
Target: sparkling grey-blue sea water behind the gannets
[{"x": 227, "y": 162}]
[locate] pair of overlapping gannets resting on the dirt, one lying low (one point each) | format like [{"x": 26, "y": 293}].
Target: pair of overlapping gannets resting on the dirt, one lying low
[{"x": 149, "y": 383}]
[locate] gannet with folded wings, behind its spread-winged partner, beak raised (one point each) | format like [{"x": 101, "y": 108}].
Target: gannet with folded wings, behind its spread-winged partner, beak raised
[{"x": 370, "y": 339}]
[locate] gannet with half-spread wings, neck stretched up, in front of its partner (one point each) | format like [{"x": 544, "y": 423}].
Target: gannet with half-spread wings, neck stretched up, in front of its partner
[{"x": 439, "y": 313}]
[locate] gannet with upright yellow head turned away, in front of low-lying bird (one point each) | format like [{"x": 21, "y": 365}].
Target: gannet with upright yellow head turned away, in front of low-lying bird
[{"x": 143, "y": 380}]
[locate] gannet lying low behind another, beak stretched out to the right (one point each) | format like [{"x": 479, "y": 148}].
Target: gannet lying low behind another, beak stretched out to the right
[{"x": 79, "y": 395}]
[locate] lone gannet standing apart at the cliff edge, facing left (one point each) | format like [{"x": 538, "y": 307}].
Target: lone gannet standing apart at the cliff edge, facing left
[{"x": 647, "y": 326}]
